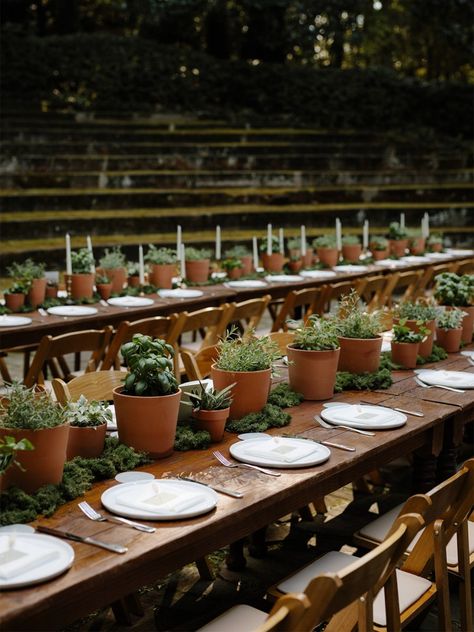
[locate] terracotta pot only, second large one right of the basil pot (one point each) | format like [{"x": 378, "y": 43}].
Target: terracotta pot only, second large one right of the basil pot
[{"x": 313, "y": 373}]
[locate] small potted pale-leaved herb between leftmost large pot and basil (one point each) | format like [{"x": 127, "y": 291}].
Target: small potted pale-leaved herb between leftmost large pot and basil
[{"x": 88, "y": 425}]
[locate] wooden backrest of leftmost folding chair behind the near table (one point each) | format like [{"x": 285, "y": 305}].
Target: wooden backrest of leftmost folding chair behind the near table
[{"x": 52, "y": 351}]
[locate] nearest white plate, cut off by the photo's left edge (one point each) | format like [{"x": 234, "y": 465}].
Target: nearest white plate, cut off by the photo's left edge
[{"x": 42, "y": 557}]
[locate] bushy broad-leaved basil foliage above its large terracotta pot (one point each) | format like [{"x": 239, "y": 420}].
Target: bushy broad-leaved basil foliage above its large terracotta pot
[{"x": 150, "y": 367}]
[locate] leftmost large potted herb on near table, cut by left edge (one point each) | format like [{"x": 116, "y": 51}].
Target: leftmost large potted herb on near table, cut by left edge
[{"x": 35, "y": 417}]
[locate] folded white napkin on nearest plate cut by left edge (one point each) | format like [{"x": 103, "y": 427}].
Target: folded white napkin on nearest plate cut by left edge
[{"x": 18, "y": 556}]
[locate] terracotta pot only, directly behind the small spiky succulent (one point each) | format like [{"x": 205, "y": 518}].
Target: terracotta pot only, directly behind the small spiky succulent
[{"x": 250, "y": 392}]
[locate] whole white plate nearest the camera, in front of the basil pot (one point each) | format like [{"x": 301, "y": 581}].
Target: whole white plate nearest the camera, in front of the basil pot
[{"x": 168, "y": 499}]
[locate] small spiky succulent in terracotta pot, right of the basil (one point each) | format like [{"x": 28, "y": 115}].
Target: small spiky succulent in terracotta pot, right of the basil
[{"x": 211, "y": 409}]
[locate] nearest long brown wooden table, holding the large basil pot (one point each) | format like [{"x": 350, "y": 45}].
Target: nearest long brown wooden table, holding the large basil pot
[{"x": 99, "y": 578}]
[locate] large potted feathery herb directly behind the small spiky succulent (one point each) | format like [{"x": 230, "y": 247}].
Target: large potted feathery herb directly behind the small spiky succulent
[{"x": 247, "y": 363}]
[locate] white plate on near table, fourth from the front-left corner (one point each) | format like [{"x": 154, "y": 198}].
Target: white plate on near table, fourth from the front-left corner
[{"x": 364, "y": 417}]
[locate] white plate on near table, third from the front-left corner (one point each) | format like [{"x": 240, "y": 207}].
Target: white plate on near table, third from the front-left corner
[{"x": 273, "y": 452}]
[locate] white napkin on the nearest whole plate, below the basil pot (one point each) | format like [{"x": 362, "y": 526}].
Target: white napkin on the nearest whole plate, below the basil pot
[{"x": 156, "y": 497}]
